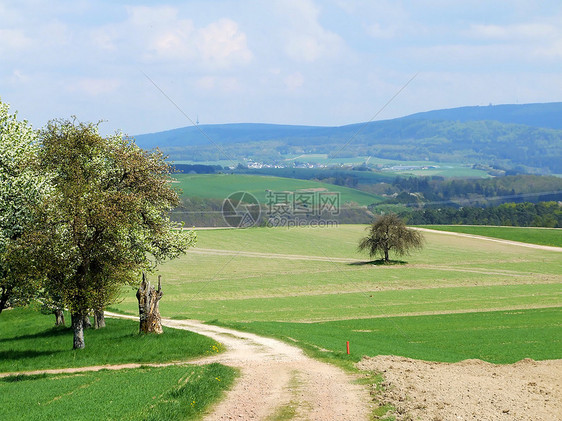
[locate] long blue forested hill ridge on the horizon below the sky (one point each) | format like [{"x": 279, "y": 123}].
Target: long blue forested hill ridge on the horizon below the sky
[{"x": 523, "y": 138}]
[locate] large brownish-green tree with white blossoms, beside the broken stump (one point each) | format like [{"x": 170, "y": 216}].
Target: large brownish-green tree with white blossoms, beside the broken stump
[{"x": 107, "y": 218}]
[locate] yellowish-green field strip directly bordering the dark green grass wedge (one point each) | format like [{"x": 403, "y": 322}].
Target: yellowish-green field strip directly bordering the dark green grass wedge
[{"x": 334, "y": 306}]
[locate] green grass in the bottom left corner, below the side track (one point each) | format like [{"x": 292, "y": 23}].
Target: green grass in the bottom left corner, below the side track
[{"x": 167, "y": 393}]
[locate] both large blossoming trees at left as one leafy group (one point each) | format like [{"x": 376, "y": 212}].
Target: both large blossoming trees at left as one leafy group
[{"x": 81, "y": 215}]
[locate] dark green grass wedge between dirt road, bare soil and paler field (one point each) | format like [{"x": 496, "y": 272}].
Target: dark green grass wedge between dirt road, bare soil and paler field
[{"x": 497, "y": 336}]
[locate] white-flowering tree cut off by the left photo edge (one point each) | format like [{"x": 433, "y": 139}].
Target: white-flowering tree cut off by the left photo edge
[{"x": 21, "y": 189}]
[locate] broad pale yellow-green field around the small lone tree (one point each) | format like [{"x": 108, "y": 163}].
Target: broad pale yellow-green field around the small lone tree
[{"x": 252, "y": 275}]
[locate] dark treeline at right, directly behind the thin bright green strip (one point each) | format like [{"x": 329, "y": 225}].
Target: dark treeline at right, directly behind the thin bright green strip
[{"x": 543, "y": 214}]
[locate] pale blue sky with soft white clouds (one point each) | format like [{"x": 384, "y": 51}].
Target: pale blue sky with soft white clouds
[{"x": 145, "y": 66}]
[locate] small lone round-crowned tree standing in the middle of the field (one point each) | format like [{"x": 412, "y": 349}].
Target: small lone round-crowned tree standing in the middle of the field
[{"x": 389, "y": 233}]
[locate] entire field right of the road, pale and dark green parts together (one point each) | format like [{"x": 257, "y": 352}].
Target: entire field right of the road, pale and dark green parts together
[{"x": 305, "y": 283}]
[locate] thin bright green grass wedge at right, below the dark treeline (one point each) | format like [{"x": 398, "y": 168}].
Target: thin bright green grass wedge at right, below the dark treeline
[{"x": 542, "y": 236}]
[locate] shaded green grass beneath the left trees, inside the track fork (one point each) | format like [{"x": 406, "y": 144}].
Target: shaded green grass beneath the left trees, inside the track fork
[{"x": 28, "y": 341}]
